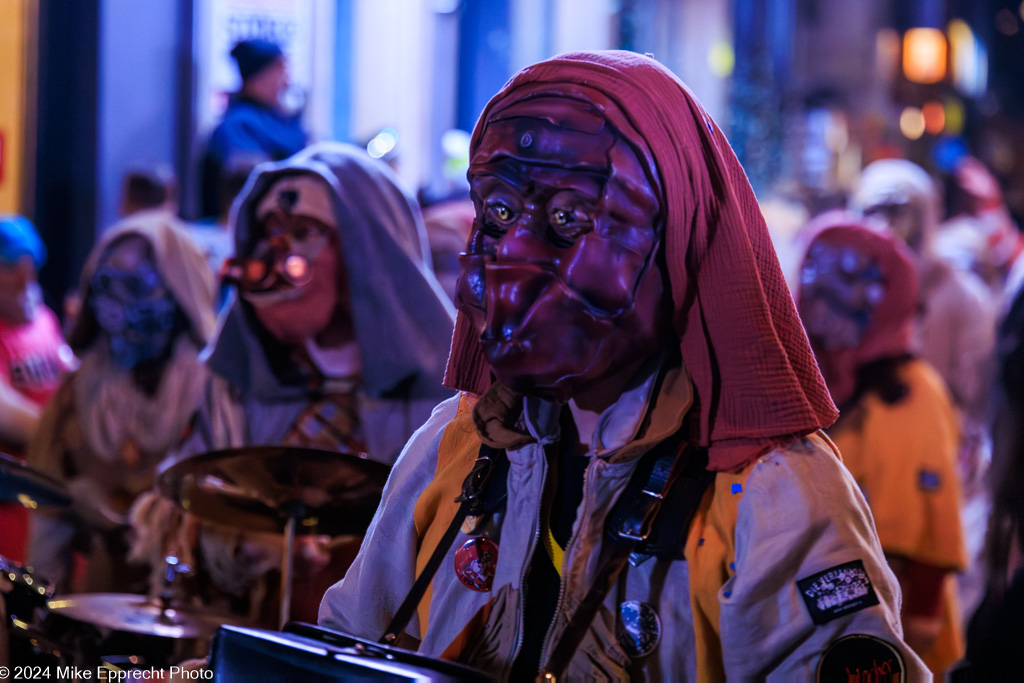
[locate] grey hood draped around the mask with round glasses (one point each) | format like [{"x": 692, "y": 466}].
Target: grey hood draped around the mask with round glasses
[{"x": 403, "y": 320}]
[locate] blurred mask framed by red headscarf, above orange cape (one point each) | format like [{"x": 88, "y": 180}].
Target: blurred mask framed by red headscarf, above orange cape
[{"x": 841, "y": 287}]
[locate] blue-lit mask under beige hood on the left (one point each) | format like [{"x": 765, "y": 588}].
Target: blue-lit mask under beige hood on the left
[{"x": 132, "y": 304}]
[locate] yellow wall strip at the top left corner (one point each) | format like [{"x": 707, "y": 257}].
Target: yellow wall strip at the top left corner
[{"x": 14, "y": 52}]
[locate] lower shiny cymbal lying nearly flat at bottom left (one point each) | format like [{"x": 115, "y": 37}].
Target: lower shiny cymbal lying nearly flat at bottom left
[{"x": 137, "y": 614}]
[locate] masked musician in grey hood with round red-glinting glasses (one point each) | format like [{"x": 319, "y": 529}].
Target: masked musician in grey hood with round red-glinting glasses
[{"x": 335, "y": 337}]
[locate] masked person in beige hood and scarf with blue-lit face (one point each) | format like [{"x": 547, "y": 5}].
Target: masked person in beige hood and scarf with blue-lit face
[{"x": 147, "y": 314}]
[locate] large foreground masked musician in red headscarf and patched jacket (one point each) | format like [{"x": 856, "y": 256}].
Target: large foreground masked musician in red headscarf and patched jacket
[{"x": 655, "y": 498}]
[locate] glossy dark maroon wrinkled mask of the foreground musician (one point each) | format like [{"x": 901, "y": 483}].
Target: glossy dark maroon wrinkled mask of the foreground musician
[{"x": 560, "y": 275}]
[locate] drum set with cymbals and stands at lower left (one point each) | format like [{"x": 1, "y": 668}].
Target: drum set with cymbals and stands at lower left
[{"x": 284, "y": 491}]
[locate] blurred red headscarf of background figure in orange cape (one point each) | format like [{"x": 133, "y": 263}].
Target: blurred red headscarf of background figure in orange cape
[{"x": 890, "y": 332}]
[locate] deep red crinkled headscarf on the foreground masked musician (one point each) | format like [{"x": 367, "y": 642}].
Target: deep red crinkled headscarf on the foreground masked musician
[{"x": 755, "y": 379}]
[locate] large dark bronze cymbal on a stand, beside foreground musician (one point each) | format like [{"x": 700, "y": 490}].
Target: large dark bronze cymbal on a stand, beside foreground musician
[{"x": 261, "y": 488}]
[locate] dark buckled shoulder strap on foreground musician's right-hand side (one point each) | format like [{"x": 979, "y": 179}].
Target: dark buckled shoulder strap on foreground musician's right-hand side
[{"x": 631, "y": 524}]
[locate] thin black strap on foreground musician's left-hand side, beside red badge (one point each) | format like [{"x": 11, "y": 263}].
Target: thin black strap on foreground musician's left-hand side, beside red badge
[{"x": 475, "y": 501}]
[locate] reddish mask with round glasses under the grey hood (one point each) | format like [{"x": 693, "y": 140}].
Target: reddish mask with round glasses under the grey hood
[{"x": 293, "y": 277}]
